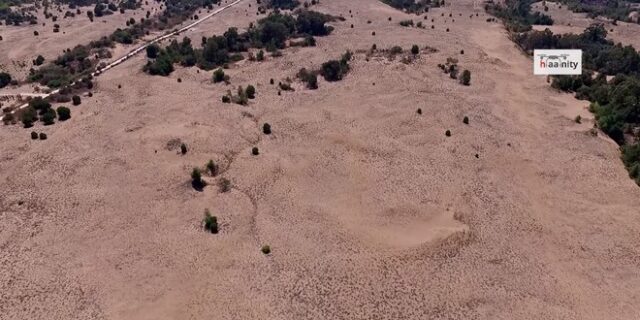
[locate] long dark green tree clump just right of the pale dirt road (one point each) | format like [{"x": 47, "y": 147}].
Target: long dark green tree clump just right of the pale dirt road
[{"x": 270, "y": 33}]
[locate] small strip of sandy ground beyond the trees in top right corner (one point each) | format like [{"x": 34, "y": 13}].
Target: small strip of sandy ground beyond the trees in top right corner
[{"x": 566, "y": 21}]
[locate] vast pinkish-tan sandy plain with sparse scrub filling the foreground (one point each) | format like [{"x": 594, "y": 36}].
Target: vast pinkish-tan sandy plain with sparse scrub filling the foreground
[{"x": 371, "y": 212}]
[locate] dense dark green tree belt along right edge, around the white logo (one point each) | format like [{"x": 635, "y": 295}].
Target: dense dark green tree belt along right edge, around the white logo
[{"x": 615, "y": 102}]
